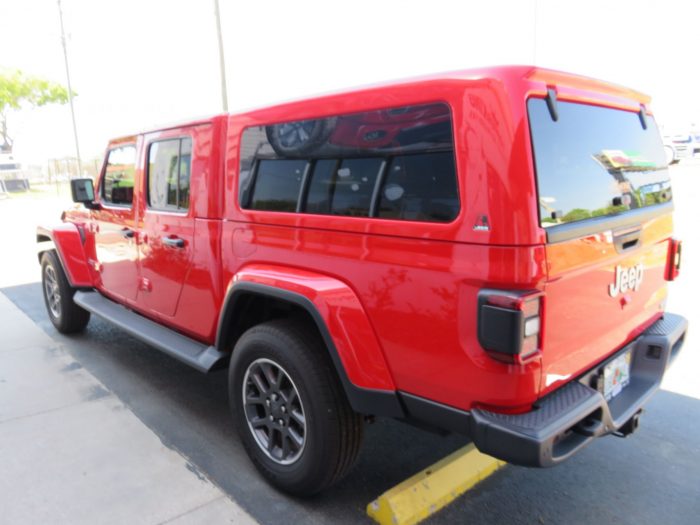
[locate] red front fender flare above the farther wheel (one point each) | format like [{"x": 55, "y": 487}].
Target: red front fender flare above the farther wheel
[{"x": 68, "y": 241}]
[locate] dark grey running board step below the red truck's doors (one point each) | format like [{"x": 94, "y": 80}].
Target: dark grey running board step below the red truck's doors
[{"x": 199, "y": 356}]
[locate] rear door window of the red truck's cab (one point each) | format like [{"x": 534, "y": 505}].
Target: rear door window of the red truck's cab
[{"x": 169, "y": 163}]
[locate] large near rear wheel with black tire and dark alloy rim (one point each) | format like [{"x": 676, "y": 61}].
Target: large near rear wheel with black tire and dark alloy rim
[{"x": 332, "y": 433}]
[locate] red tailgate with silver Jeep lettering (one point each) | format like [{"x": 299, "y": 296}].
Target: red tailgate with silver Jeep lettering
[{"x": 587, "y": 324}]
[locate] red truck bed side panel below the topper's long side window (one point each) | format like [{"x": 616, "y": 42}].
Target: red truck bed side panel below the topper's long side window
[{"x": 418, "y": 297}]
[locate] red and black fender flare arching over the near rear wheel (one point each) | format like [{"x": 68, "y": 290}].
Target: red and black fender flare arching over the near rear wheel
[{"x": 341, "y": 321}]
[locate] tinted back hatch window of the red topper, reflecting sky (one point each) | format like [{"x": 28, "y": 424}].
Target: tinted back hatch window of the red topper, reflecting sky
[{"x": 595, "y": 161}]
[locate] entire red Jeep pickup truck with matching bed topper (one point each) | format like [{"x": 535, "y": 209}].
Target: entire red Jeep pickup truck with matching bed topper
[{"x": 484, "y": 252}]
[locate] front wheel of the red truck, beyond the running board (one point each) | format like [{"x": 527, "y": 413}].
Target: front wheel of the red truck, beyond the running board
[{"x": 66, "y": 316}]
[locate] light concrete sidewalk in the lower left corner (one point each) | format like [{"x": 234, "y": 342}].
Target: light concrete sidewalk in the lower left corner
[{"x": 71, "y": 452}]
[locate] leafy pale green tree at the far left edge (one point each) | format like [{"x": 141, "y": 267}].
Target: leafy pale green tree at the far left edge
[{"x": 18, "y": 90}]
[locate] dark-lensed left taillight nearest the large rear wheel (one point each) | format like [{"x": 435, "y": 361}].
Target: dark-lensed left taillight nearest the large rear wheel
[{"x": 510, "y": 324}]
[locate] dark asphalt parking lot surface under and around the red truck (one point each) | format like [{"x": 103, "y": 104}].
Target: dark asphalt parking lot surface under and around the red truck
[{"x": 650, "y": 477}]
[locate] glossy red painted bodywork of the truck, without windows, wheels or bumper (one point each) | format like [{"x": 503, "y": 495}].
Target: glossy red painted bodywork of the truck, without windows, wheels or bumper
[{"x": 399, "y": 298}]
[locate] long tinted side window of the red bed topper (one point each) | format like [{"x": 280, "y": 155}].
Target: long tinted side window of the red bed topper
[{"x": 396, "y": 163}]
